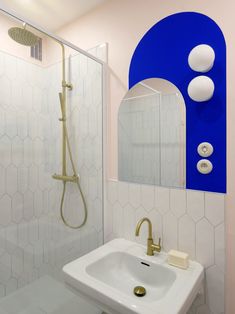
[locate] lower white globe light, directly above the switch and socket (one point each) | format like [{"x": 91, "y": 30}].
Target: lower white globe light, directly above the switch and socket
[{"x": 201, "y": 88}]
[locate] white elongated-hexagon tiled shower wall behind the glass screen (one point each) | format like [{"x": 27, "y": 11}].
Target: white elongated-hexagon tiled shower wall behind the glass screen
[{"x": 33, "y": 240}]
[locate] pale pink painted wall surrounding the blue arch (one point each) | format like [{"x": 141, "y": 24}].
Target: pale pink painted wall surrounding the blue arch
[{"x": 122, "y": 24}]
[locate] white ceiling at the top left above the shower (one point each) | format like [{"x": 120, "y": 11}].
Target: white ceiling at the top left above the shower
[{"x": 51, "y": 14}]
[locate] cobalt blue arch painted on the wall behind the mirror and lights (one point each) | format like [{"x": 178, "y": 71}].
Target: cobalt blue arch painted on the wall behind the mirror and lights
[{"x": 163, "y": 52}]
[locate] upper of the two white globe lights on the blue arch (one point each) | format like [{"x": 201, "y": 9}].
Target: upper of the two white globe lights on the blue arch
[{"x": 201, "y": 58}]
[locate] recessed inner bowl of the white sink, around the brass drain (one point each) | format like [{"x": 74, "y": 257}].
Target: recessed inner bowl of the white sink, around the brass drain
[{"x": 123, "y": 271}]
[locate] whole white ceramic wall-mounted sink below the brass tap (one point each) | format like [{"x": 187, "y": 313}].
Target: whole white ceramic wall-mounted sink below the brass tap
[{"x": 108, "y": 275}]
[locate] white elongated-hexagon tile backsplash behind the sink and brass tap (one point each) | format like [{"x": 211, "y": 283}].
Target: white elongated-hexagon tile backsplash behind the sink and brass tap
[{"x": 186, "y": 220}]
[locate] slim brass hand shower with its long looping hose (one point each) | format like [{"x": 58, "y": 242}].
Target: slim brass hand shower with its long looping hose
[{"x": 65, "y": 130}]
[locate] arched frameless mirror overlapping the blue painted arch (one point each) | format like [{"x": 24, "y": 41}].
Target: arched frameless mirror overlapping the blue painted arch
[{"x": 152, "y": 135}]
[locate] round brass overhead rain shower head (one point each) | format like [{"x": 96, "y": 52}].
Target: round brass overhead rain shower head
[{"x": 23, "y": 36}]
